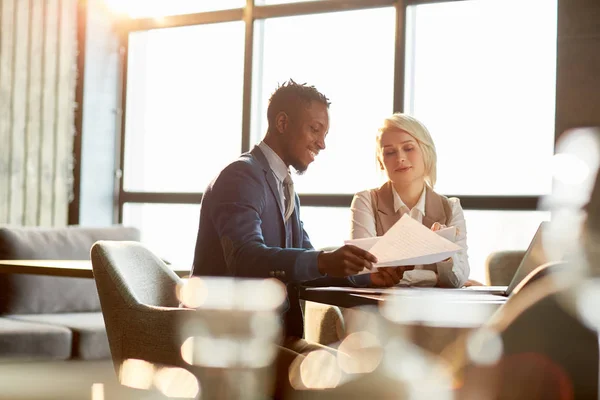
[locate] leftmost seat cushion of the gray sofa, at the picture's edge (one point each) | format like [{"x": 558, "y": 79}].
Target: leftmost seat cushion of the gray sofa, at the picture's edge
[{"x": 29, "y": 340}]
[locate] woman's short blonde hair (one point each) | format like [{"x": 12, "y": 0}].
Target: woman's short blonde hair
[{"x": 416, "y": 129}]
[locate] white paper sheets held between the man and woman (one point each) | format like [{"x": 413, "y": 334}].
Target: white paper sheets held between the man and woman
[{"x": 409, "y": 242}]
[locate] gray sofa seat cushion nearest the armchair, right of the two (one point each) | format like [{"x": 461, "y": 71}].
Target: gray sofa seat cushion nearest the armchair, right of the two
[{"x": 89, "y": 334}]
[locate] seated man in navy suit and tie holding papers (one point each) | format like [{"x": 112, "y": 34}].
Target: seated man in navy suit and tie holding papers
[{"x": 250, "y": 216}]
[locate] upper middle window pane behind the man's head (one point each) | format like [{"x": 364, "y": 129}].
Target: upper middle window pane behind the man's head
[{"x": 356, "y": 73}]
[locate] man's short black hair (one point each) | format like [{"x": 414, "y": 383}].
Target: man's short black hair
[{"x": 289, "y": 96}]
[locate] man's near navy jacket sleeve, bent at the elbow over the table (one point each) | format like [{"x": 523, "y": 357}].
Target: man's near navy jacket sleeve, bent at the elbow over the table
[{"x": 239, "y": 196}]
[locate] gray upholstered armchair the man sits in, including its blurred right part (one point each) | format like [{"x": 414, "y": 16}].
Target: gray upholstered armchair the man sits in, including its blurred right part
[{"x": 138, "y": 296}]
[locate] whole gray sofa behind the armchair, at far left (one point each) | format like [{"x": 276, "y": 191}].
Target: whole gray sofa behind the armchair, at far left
[{"x": 52, "y": 318}]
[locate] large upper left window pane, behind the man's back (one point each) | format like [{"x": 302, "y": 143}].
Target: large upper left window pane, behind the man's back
[{"x": 184, "y": 106}]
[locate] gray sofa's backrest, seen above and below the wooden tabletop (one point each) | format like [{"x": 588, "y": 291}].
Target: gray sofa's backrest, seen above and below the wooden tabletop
[{"x": 28, "y": 294}]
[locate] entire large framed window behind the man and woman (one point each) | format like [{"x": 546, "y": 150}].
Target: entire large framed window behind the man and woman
[{"x": 479, "y": 73}]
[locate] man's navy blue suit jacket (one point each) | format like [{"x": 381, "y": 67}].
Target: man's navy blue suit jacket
[{"x": 242, "y": 233}]
